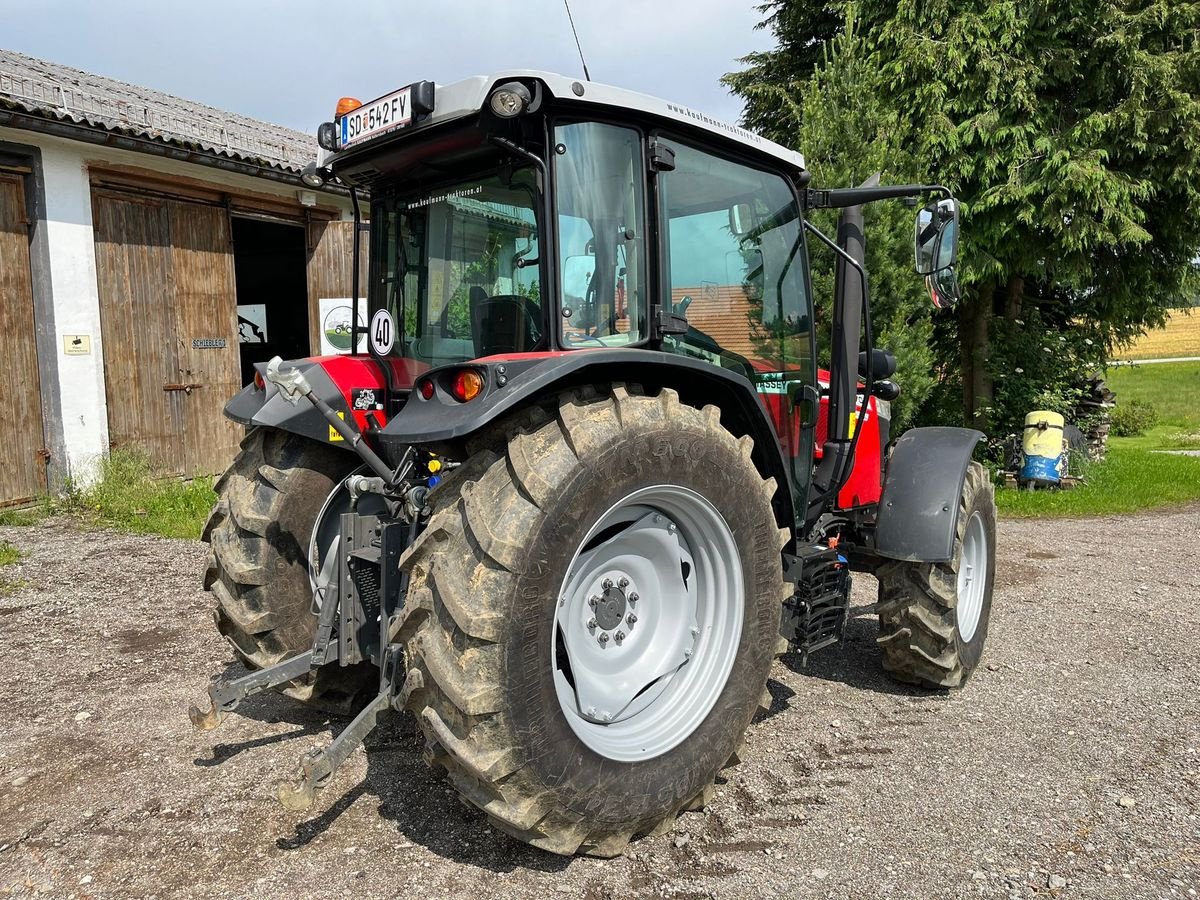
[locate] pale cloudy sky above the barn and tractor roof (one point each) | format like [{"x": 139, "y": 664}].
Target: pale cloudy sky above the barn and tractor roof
[{"x": 287, "y": 62}]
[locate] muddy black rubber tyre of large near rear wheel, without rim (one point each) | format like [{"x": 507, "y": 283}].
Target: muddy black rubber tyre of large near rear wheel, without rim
[{"x": 481, "y": 616}]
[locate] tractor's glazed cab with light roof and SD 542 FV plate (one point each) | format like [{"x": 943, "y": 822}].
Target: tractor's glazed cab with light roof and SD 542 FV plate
[{"x": 531, "y": 214}]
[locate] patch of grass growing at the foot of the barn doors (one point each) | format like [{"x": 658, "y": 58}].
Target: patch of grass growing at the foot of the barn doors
[{"x": 129, "y": 495}]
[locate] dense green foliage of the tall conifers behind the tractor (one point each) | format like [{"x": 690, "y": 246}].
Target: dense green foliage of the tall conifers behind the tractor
[{"x": 1071, "y": 131}]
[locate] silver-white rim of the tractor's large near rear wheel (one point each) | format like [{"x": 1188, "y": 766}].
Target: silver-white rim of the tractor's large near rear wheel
[{"x": 641, "y": 652}]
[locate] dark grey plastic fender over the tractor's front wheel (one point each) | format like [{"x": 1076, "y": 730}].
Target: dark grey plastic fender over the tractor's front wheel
[{"x": 920, "y": 508}]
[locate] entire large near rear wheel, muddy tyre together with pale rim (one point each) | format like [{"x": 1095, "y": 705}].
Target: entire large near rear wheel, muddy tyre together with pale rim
[{"x": 532, "y": 556}]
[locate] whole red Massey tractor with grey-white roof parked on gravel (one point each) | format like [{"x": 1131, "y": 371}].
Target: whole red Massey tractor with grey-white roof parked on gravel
[{"x": 590, "y": 481}]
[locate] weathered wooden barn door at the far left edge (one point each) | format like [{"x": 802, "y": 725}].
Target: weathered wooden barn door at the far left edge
[{"x": 23, "y": 475}]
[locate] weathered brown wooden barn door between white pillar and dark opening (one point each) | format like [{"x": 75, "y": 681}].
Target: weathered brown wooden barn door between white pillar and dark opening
[{"x": 169, "y": 319}]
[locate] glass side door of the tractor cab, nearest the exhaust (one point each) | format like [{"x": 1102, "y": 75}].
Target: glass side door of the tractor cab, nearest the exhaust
[{"x": 735, "y": 266}]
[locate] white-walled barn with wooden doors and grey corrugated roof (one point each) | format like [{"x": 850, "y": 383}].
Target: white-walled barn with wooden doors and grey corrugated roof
[{"x": 152, "y": 250}]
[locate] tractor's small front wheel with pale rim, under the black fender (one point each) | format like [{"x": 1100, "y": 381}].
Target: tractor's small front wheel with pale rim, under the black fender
[{"x": 934, "y": 616}]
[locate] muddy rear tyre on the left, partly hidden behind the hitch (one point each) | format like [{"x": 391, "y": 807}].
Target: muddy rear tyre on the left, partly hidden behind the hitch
[{"x": 259, "y": 537}]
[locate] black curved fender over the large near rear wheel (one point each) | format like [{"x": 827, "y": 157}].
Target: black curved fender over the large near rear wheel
[{"x": 512, "y": 383}]
